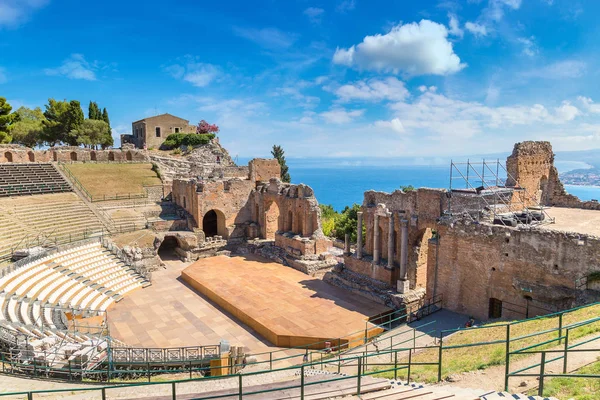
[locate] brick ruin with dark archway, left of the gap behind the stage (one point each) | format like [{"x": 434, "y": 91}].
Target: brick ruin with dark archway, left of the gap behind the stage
[{"x": 255, "y": 207}]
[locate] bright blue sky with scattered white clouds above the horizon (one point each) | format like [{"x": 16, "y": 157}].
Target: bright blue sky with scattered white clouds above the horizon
[{"x": 338, "y": 78}]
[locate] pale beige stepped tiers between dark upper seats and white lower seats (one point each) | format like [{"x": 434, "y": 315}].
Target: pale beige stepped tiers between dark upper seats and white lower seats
[{"x": 44, "y": 219}]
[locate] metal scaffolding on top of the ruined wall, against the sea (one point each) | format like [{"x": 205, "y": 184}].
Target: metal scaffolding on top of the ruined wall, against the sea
[{"x": 485, "y": 190}]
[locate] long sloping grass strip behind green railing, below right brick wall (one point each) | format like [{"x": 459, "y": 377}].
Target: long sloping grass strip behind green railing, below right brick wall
[{"x": 459, "y": 360}]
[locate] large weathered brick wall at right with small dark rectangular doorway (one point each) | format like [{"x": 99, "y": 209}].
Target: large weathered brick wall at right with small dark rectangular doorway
[{"x": 477, "y": 262}]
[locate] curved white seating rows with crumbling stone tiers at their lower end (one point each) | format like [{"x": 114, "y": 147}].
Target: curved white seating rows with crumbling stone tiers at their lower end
[{"x": 33, "y": 297}]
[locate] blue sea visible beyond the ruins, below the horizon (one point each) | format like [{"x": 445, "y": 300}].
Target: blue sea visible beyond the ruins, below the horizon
[{"x": 342, "y": 186}]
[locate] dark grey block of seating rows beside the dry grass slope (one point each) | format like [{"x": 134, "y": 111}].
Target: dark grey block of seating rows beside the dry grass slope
[{"x": 25, "y": 179}]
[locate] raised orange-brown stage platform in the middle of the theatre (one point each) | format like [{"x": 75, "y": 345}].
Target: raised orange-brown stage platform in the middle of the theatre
[{"x": 285, "y": 306}]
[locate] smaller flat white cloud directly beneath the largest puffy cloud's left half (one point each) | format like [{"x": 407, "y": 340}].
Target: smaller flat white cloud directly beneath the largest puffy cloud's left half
[{"x": 372, "y": 90}]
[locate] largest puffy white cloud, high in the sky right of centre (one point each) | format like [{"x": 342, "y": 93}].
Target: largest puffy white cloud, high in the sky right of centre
[{"x": 413, "y": 49}]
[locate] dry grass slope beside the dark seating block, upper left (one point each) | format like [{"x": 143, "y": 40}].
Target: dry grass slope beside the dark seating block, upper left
[{"x": 114, "y": 179}]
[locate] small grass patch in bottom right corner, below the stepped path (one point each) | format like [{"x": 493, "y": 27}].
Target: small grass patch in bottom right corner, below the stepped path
[{"x": 574, "y": 388}]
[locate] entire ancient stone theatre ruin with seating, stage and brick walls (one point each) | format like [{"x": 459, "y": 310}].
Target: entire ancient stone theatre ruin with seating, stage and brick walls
[{"x": 123, "y": 260}]
